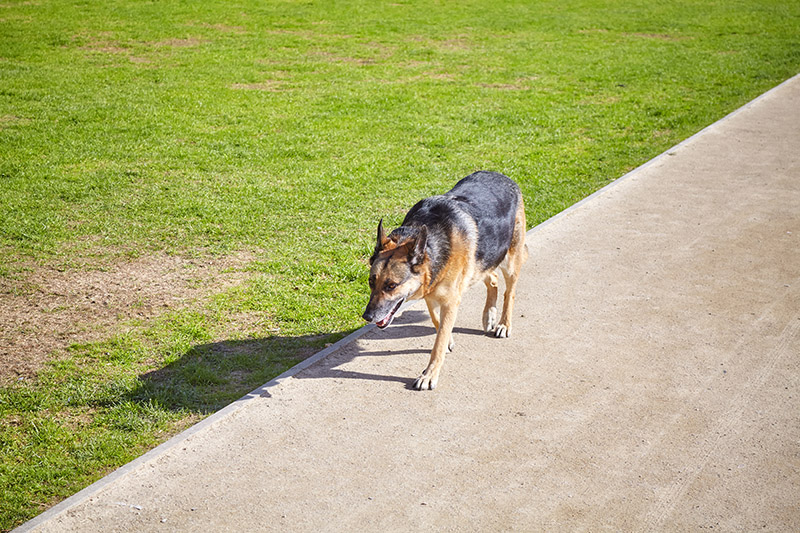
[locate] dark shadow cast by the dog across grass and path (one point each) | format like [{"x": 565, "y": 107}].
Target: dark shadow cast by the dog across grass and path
[{"x": 209, "y": 376}]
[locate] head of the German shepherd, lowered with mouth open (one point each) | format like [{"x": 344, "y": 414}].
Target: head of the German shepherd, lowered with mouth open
[{"x": 396, "y": 273}]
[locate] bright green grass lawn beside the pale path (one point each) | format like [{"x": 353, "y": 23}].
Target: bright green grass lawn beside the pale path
[{"x": 280, "y": 132}]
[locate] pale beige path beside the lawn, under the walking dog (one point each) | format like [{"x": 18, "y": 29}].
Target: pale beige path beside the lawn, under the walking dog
[{"x": 652, "y": 382}]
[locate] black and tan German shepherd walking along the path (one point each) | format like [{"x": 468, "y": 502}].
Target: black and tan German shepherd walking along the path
[{"x": 445, "y": 243}]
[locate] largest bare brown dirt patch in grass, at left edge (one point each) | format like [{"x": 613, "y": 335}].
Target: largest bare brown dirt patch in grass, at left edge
[{"x": 45, "y": 310}]
